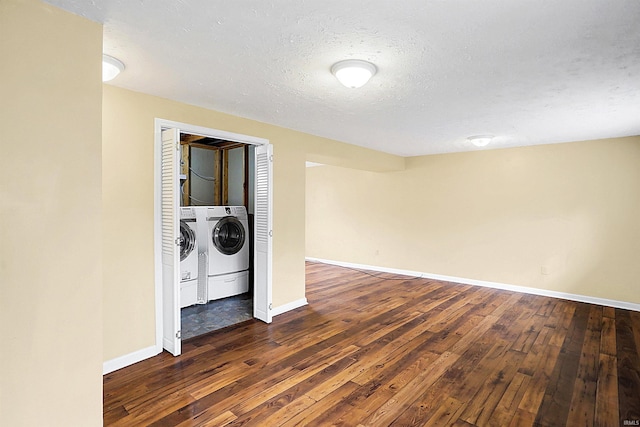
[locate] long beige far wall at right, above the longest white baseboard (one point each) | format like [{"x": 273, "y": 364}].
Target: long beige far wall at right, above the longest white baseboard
[{"x": 568, "y": 210}]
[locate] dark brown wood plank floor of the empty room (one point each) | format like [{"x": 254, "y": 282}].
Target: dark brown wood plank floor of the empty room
[{"x": 377, "y": 352}]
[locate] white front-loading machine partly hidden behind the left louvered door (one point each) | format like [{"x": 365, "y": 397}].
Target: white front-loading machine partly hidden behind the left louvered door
[{"x": 188, "y": 256}]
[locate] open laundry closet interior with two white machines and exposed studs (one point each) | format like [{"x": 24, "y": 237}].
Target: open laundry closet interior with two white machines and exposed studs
[{"x": 216, "y": 238}]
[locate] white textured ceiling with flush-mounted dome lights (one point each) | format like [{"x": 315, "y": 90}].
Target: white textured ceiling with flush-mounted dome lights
[{"x": 527, "y": 71}]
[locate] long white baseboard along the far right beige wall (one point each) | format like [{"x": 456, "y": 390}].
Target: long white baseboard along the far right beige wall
[{"x": 513, "y": 288}]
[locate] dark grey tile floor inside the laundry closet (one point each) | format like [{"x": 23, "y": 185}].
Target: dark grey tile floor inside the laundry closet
[{"x": 200, "y": 319}]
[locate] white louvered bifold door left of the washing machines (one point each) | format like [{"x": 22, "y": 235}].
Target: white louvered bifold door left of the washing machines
[{"x": 170, "y": 242}]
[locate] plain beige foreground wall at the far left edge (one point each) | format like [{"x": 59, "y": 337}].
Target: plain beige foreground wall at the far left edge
[{"x": 50, "y": 220}]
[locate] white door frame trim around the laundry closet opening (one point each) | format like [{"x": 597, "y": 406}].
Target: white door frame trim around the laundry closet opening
[{"x": 159, "y": 125}]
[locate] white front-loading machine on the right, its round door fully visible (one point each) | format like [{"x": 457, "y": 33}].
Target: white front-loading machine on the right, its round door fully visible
[{"x": 228, "y": 254}]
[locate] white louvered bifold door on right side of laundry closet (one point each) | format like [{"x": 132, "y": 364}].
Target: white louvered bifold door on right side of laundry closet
[{"x": 263, "y": 233}]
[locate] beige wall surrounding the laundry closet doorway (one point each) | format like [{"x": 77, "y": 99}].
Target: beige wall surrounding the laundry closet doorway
[{"x": 128, "y": 138}]
